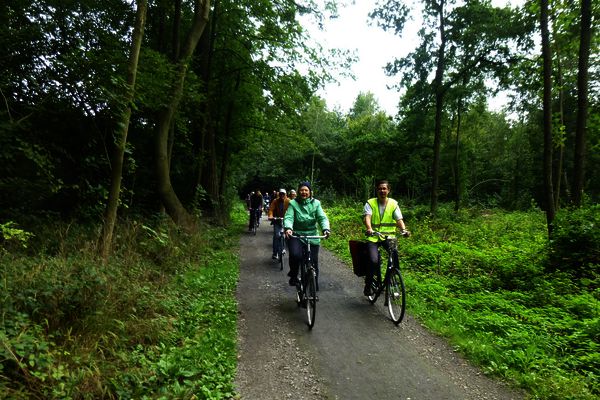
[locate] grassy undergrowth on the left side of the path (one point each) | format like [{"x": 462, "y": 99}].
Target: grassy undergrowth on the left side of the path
[{"x": 157, "y": 321}]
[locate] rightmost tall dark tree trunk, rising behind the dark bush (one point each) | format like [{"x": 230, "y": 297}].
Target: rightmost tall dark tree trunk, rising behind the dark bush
[{"x": 582, "y": 101}]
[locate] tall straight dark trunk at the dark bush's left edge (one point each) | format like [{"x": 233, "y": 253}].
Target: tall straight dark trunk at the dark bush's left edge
[{"x": 547, "y": 118}]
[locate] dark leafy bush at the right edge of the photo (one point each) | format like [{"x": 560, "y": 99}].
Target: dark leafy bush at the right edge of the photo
[{"x": 575, "y": 244}]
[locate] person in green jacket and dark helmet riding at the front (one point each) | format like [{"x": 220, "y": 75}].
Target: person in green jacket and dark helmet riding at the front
[{"x": 303, "y": 216}]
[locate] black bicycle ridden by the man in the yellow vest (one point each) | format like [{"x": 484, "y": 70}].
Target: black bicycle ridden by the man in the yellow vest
[{"x": 393, "y": 284}]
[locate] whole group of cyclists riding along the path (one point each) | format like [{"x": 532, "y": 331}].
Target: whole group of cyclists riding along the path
[{"x": 300, "y": 214}]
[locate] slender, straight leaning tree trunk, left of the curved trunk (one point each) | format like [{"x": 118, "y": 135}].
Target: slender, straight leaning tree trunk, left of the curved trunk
[{"x": 110, "y": 214}]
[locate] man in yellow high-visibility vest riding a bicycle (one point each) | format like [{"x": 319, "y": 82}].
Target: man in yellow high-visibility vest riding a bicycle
[{"x": 381, "y": 214}]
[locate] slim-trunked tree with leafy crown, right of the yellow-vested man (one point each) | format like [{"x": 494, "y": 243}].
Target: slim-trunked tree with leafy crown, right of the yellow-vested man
[{"x": 468, "y": 45}]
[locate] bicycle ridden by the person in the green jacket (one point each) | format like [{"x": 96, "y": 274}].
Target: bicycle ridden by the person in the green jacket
[{"x": 306, "y": 286}]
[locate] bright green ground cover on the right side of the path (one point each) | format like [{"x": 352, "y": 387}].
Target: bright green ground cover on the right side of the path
[{"x": 479, "y": 279}]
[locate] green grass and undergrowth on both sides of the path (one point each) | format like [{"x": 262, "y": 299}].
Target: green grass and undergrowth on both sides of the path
[{"x": 159, "y": 320}]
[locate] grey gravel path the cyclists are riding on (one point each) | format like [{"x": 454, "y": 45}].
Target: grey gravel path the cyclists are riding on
[{"x": 353, "y": 352}]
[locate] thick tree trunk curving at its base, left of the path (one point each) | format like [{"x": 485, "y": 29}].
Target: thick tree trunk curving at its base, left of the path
[{"x": 172, "y": 204}]
